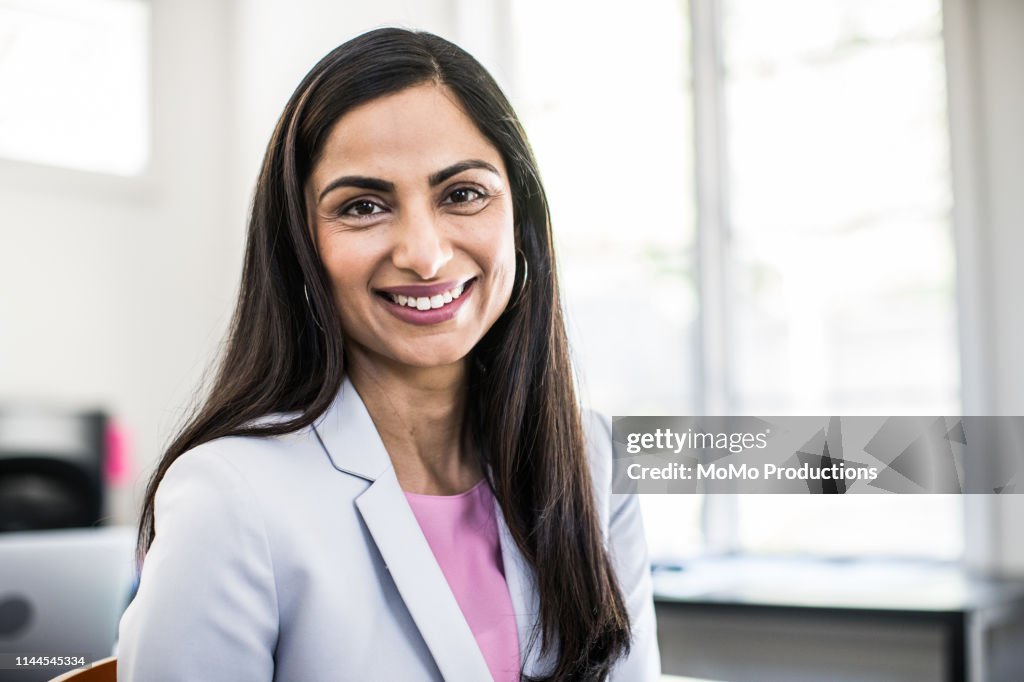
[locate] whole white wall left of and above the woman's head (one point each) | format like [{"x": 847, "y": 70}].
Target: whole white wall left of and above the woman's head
[{"x": 116, "y": 293}]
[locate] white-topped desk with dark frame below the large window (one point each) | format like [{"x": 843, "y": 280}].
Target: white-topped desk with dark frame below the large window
[{"x": 966, "y": 610}]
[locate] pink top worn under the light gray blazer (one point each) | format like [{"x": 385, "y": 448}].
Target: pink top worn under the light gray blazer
[{"x": 463, "y": 534}]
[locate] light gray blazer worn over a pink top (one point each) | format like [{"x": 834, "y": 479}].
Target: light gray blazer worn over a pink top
[{"x": 297, "y": 559}]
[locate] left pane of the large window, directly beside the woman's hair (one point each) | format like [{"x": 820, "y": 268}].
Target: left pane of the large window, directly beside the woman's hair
[{"x": 623, "y": 207}]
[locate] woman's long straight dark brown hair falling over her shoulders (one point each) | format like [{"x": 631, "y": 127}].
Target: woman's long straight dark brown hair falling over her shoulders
[{"x": 285, "y": 349}]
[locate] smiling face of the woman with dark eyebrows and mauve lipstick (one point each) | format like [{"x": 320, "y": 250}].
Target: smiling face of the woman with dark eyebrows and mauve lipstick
[{"x": 412, "y": 216}]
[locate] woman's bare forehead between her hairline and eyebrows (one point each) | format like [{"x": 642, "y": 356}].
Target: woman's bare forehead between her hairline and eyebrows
[{"x": 406, "y": 136}]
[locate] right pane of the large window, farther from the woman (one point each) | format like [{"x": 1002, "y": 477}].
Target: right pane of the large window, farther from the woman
[{"x": 841, "y": 246}]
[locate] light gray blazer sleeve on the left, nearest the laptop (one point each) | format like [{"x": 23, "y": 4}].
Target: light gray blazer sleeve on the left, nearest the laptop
[{"x": 206, "y": 607}]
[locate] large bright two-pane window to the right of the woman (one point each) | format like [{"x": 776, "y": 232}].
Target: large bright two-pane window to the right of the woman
[{"x": 753, "y": 201}]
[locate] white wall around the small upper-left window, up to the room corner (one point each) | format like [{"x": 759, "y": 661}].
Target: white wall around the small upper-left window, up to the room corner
[{"x": 111, "y": 290}]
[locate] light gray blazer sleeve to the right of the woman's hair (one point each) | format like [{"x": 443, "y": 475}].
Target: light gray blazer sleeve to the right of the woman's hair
[{"x": 628, "y": 550}]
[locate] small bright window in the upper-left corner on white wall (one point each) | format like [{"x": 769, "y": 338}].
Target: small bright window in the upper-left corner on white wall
[{"x": 74, "y": 79}]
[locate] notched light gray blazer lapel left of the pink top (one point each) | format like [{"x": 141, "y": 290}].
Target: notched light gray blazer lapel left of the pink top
[{"x": 352, "y": 441}]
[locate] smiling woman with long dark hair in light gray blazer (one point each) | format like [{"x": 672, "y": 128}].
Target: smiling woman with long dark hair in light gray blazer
[{"x": 392, "y": 479}]
